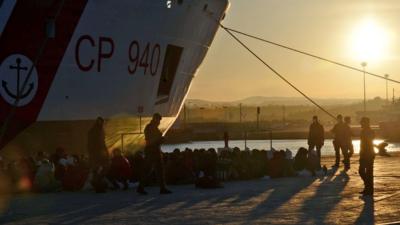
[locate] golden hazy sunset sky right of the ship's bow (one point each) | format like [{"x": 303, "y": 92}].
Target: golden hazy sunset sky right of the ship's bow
[{"x": 342, "y": 30}]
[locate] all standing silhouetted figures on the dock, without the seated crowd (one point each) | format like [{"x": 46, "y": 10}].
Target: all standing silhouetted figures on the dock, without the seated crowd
[{"x": 342, "y": 142}]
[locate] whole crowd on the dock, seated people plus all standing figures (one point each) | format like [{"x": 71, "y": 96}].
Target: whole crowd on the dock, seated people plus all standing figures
[{"x": 101, "y": 172}]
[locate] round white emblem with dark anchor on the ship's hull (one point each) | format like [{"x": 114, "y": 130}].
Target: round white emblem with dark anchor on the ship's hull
[{"x": 13, "y": 74}]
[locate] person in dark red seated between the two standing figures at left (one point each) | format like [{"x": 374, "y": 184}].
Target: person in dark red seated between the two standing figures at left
[{"x": 120, "y": 169}]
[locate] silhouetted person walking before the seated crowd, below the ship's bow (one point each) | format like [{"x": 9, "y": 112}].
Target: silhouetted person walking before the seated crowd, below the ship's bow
[{"x": 153, "y": 154}]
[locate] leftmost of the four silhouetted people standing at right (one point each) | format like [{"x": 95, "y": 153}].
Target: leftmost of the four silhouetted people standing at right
[{"x": 316, "y": 137}]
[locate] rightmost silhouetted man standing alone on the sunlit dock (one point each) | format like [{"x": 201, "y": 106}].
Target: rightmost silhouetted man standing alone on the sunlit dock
[{"x": 367, "y": 156}]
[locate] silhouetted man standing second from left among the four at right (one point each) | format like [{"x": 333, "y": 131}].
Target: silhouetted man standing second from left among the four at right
[{"x": 339, "y": 141}]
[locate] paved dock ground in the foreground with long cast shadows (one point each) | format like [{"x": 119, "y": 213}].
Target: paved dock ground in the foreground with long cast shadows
[{"x": 304, "y": 200}]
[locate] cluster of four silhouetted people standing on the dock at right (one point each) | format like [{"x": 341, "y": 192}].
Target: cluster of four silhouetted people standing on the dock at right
[{"x": 342, "y": 142}]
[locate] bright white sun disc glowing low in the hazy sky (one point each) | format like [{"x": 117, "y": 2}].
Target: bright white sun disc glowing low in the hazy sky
[{"x": 369, "y": 41}]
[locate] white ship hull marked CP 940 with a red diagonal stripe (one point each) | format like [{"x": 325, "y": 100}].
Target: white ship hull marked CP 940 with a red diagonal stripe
[{"x": 121, "y": 60}]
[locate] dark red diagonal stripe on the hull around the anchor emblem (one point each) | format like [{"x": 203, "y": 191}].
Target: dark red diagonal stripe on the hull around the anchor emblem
[{"x": 24, "y": 34}]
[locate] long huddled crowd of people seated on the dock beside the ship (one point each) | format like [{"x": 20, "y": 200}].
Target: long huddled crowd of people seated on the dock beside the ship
[{"x": 204, "y": 168}]
